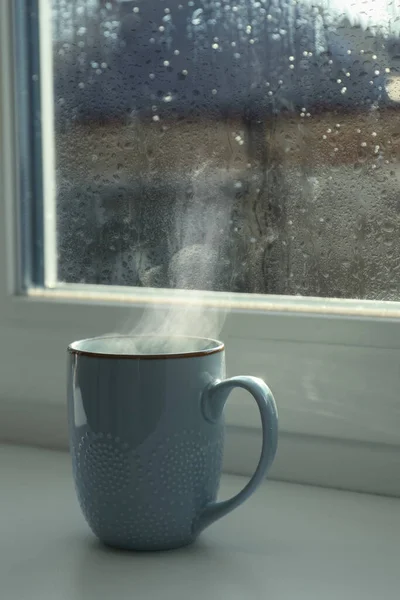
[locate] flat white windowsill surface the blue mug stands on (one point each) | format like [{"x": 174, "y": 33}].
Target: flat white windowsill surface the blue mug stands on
[{"x": 288, "y": 541}]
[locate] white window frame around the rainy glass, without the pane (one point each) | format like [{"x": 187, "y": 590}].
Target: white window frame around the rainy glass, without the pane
[{"x": 334, "y": 365}]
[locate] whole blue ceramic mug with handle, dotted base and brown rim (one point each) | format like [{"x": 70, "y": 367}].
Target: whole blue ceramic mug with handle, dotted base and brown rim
[{"x": 146, "y": 433}]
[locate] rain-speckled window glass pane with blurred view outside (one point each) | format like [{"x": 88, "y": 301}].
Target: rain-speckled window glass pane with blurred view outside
[{"x": 229, "y": 145}]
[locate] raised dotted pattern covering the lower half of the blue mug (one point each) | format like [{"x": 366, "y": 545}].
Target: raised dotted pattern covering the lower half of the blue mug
[{"x": 149, "y": 499}]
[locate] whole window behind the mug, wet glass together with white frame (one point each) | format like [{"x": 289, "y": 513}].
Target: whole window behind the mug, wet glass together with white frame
[{"x": 237, "y": 159}]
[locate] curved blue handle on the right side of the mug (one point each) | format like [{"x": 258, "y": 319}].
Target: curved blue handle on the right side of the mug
[{"x": 213, "y": 402}]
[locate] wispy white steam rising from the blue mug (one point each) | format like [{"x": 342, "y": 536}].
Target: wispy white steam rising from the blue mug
[{"x": 199, "y": 257}]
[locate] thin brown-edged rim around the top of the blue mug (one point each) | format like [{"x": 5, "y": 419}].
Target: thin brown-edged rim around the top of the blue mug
[{"x": 217, "y": 347}]
